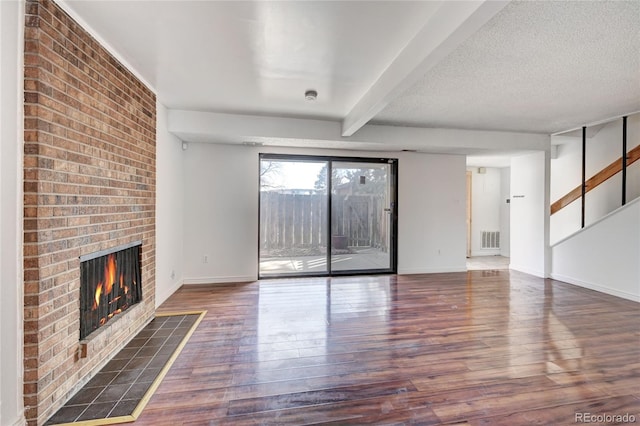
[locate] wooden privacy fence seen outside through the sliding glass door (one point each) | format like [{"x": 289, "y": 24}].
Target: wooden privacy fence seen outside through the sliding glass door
[{"x": 299, "y": 221}]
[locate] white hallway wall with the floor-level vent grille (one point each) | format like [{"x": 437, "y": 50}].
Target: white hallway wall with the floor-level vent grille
[{"x": 485, "y": 207}]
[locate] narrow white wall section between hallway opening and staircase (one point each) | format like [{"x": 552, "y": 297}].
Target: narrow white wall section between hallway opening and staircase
[{"x": 529, "y": 214}]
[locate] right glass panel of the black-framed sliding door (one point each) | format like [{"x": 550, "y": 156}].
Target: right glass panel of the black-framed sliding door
[{"x": 362, "y": 208}]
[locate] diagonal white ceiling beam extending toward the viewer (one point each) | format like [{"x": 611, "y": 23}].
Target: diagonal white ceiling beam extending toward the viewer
[{"x": 451, "y": 24}]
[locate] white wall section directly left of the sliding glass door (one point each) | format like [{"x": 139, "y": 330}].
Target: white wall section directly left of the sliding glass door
[{"x": 221, "y": 213}]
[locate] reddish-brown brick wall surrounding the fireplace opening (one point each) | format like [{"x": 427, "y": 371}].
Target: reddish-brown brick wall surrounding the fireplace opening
[{"x": 89, "y": 185}]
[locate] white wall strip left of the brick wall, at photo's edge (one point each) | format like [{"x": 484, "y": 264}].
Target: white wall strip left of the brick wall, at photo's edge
[{"x": 11, "y": 295}]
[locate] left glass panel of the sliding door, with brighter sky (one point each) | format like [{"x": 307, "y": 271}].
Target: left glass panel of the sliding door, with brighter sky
[{"x": 293, "y": 217}]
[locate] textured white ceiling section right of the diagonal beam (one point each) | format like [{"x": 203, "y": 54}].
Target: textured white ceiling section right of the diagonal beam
[{"x": 537, "y": 67}]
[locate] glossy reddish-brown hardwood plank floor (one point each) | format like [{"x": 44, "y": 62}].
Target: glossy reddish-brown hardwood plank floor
[{"x": 484, "y": 347}]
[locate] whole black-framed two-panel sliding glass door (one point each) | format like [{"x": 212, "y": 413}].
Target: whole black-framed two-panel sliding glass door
[{"x": 326, "y": 216}]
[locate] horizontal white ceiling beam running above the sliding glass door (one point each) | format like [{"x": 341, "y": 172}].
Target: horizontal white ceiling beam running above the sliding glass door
[{"x": 207, "y": 127}]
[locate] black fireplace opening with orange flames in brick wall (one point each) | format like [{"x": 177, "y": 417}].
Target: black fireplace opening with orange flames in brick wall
[{"x": 109, "y": 284}]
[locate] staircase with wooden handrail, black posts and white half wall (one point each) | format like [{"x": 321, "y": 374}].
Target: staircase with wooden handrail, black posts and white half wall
[{"x": 597, "y": 238}]
